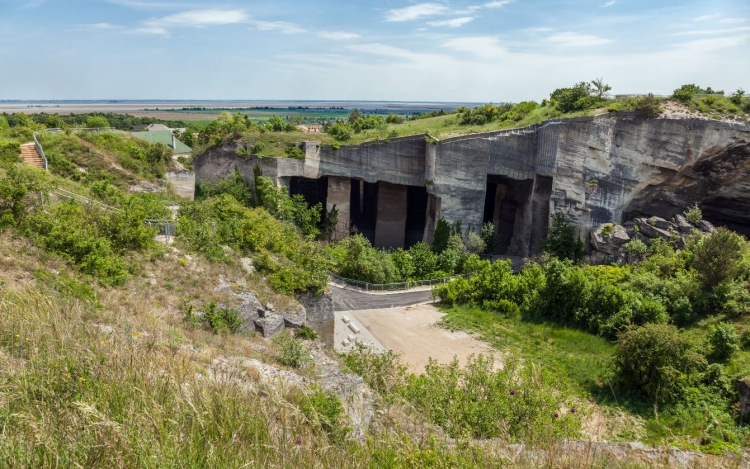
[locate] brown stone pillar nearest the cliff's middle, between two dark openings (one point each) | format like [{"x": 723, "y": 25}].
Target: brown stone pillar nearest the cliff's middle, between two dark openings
[{"x": 390, "y": 228}]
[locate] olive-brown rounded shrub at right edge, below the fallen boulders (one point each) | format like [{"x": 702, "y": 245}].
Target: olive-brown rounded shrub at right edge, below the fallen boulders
[{"x": 717, "y": 257}]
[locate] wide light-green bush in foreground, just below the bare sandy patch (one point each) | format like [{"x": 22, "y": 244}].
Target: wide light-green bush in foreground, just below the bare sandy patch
[{"x": 514, "y": 404}]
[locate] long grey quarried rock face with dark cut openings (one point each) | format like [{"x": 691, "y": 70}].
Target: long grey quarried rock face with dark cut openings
[{"x": 595, "y": 170}]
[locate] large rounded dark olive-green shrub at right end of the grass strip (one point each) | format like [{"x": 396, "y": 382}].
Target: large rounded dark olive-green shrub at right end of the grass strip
[{"x": 650, "y": 360}]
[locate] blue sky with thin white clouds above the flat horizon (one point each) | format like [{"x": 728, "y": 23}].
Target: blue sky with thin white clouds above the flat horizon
[{"x": 396, "y": 50}]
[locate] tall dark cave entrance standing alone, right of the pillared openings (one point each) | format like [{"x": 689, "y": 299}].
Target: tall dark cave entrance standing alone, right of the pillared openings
[{"x": 505, "y": 205}]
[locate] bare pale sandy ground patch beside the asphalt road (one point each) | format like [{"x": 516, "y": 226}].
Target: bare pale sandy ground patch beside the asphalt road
[{"x": 413, "y": 332}]
